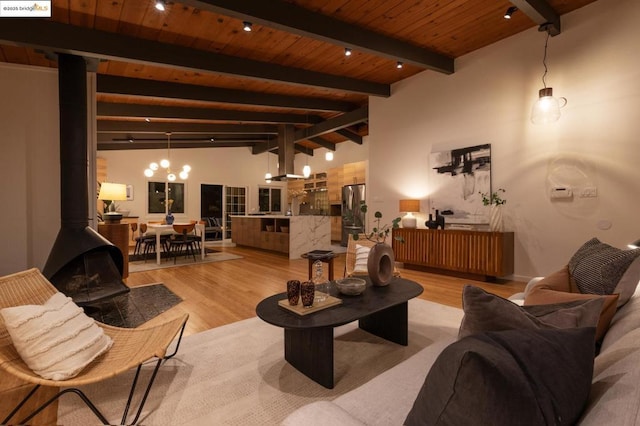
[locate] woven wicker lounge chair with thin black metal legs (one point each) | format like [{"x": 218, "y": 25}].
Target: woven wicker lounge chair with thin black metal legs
[{"x": 131, "y": 347}]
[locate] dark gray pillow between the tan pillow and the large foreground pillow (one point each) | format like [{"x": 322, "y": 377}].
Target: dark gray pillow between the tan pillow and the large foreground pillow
[{"x": 484, "y": 311}]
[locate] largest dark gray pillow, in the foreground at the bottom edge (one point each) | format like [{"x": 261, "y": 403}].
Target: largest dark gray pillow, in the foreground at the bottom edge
[{"x": 512, "y": 377}]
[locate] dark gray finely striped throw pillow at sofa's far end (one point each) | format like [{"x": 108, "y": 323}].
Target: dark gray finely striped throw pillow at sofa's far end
[{"x": 596, "y": 267}]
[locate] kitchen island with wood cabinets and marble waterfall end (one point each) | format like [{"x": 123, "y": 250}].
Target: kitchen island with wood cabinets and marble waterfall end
[{"x": 292, "y": 235}]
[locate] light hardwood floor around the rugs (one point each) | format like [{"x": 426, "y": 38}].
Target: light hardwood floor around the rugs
[{"x": 219, "y": 293}]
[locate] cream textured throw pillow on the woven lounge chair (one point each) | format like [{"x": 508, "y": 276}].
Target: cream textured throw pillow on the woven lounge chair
[{"x": 56, "y": 340}]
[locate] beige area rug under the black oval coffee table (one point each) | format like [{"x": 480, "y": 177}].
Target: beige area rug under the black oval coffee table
[{"x": 236, "y": 374}]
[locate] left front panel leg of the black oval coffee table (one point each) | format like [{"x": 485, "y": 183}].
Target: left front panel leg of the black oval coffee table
[{"x": 311, "y": 352}]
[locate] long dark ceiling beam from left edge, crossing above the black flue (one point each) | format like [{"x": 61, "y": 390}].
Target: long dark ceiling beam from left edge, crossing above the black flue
[{"x": 46, "y": 34}]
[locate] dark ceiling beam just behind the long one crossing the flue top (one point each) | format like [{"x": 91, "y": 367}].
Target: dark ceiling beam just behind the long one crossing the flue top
[{"x": 141, "y": 87}]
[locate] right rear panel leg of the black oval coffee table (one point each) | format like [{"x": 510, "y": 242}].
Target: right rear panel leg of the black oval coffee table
[{"x": 391, "y": 324}]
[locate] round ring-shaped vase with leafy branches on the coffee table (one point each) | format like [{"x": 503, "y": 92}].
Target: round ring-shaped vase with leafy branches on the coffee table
[{"x": 381, "y": 260}]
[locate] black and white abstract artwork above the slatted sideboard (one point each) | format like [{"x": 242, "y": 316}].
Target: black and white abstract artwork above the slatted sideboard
[{"x": 457, "y": 177}]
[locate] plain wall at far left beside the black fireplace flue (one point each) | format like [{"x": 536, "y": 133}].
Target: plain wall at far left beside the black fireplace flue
[{"x": 29, "y": 166}]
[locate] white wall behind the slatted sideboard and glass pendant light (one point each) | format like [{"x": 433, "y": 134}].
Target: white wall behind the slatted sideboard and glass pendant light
[{"x": 594, "y": 64}]
